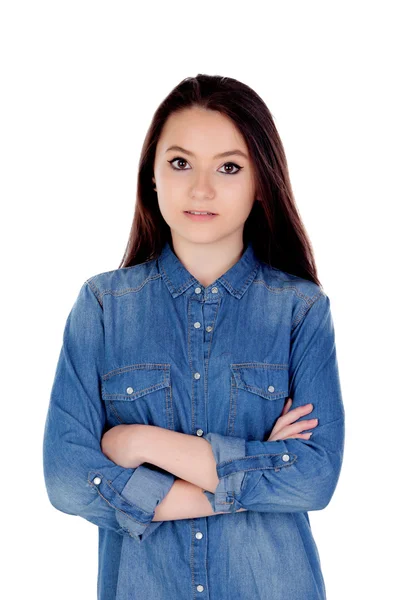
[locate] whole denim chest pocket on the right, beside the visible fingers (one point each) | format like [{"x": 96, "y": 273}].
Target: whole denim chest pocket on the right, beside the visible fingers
[{"x": 257, "y": 396}]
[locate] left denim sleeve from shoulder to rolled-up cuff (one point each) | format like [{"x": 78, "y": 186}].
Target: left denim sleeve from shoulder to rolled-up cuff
[{"x": 79, "y": 478}]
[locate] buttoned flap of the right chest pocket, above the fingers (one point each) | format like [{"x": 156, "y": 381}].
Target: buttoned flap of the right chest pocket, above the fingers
[{"x": 271, "y": 381}]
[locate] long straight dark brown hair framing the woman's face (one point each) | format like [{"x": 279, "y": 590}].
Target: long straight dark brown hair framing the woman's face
[{"x": 274, "y": 225}]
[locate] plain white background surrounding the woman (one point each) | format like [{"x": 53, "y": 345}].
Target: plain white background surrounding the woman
[{"x": 80, "y": 83}]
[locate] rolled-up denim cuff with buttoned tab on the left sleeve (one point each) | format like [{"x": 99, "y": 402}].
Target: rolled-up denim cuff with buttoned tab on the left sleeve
[{"x": 138, "y": 499}]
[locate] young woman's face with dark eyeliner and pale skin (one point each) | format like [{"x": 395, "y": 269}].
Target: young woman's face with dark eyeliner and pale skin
[{"x": 193, "y": 177}]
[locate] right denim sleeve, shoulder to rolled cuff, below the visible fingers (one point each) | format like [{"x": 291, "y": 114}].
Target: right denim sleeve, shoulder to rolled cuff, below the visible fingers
[{"x": 291, "y": 475}]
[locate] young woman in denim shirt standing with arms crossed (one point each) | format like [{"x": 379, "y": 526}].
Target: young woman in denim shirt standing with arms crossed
[{"x": 196, "y": 415}]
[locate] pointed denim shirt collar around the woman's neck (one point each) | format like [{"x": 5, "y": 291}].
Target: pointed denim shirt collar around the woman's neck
[{"x": 236, "y": 280}]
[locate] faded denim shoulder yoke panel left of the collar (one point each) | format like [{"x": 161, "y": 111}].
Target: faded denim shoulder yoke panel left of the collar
[{"x": 123, "y": 280}]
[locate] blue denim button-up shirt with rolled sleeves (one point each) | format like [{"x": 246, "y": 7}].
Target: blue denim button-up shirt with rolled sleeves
[{"x": 150, "y": 344}]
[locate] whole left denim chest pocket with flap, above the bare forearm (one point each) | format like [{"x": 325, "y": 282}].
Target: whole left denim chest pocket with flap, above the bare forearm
[{"x": 139, "y": 393}]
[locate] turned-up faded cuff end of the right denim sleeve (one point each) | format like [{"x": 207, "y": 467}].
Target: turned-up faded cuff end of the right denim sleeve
[{"x": 225, "y": 450}]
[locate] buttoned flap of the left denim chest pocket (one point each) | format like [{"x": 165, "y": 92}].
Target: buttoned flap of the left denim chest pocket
[{"x": 133, "y": 381}]
